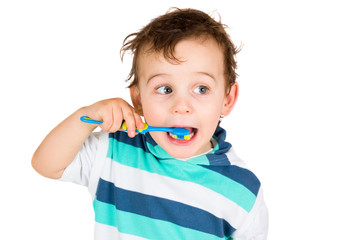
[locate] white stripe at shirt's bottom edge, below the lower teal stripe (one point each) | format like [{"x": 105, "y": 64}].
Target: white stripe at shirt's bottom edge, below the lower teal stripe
[{"x": 106, "y": 232}]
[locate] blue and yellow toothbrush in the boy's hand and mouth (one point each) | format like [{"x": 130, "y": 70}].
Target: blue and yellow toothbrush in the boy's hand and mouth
[{"x": 179, "y": 133}]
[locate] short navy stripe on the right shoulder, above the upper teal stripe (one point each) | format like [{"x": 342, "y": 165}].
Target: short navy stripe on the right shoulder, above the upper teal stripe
[{"x": 240, "y": 175}]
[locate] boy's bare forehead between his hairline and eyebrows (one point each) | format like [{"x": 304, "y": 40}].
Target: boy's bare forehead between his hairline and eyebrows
[{"x": 190, "y": 55}]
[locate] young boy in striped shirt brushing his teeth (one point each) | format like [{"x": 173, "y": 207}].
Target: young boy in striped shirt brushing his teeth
[{"x": 153, "y": 186}]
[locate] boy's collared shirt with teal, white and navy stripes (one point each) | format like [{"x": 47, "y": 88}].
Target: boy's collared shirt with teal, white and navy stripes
[{"x": 140, "y": 192}]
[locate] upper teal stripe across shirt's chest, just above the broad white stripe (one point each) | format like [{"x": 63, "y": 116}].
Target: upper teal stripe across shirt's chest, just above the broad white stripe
[{"x": 136, "y": 157}]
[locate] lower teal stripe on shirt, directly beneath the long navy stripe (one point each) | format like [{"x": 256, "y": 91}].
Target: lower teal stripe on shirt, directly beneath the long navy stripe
[{"x": 137, "y": 225}]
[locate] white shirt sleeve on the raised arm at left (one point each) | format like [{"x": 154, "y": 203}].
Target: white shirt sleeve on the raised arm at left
[{"x": 80, "y": 170}]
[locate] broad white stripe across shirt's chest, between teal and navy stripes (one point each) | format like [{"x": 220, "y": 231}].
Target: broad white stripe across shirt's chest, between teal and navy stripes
[{"x": 189, "y": 193}]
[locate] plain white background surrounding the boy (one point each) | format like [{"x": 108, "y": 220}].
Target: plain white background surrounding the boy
[{"x": 293, "y": 123}]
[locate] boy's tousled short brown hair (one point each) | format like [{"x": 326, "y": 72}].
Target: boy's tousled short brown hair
[{"x": 164, "y": 32}]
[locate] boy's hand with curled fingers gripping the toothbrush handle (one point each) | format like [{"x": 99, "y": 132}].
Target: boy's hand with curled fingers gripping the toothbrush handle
[{"x": 113, "y": 112}]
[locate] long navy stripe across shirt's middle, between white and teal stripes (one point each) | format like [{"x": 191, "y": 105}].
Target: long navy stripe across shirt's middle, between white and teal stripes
[{"x": 163, "y": 209}]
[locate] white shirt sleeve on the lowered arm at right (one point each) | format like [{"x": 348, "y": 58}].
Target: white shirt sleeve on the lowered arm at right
[{"x": 257, "y": 223}]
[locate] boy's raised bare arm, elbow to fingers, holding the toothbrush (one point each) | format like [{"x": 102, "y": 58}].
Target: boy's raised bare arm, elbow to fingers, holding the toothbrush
[{"x": 62, "y": 144}]
